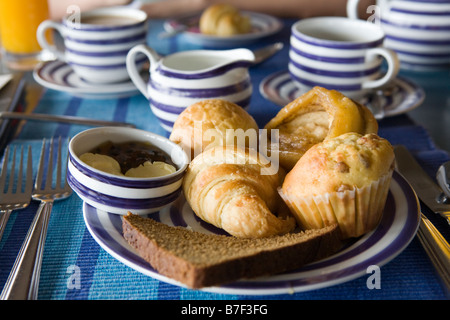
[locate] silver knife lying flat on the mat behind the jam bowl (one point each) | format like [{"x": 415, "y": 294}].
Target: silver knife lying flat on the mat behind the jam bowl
[{"x": 61, "y": 118}]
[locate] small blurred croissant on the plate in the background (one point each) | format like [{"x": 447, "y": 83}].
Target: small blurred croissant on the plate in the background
[{"x": 223, "y": 20}]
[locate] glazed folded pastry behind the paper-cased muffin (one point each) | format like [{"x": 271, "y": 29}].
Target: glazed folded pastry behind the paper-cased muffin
[{"x": 314, "y": 116}]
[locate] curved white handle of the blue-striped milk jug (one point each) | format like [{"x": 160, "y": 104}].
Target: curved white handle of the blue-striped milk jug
[{"x": 132, "y": 68}]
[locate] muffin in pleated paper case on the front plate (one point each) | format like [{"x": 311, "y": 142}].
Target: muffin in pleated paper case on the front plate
[{"x": 343, "y": 180}]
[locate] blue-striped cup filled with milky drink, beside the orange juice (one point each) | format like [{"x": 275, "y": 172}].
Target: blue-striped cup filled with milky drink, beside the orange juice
[{"x": 96, "y": 42}]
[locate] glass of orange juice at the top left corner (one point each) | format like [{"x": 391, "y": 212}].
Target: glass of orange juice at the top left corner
[{"x": 18, "y": 24}]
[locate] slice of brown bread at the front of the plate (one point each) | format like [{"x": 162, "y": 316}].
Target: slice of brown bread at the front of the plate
[{"x": 202, "y": 260}]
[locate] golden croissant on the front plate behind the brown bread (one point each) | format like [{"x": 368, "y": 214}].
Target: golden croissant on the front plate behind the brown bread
[{"x": 233, "y": 188}]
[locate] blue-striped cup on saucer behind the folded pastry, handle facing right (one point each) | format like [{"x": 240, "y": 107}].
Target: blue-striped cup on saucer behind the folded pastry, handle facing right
[{"x": 341, "y": 54}]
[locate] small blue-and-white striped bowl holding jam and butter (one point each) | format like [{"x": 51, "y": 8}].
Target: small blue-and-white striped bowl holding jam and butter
[{"x": 118, "y": 194}]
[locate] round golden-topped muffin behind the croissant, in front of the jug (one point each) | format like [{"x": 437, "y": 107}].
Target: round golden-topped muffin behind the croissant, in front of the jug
[{"x": 214, "y": 122}]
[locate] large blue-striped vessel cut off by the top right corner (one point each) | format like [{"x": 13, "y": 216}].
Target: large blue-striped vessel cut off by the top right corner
[{"x": 417, "y": 30}]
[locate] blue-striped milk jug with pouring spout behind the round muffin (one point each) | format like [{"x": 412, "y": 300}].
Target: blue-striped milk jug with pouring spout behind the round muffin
[{"x": 181, "y": 79}]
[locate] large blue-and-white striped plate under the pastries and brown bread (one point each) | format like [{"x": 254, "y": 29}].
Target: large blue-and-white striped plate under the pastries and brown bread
[{"x": 397, "y": 228}]
